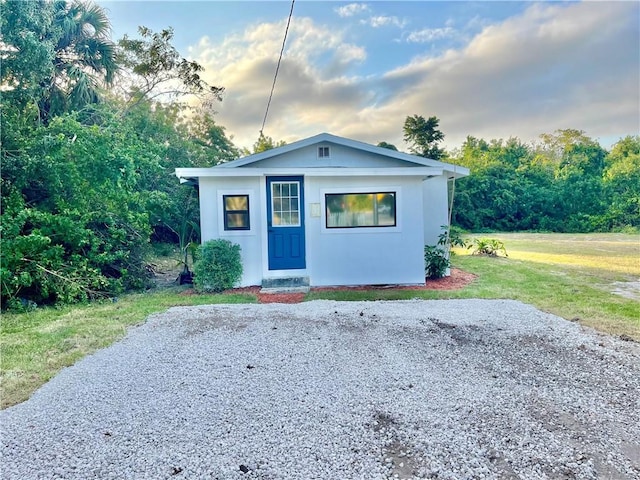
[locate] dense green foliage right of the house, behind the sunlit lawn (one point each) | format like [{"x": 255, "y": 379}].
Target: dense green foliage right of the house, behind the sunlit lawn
[{"x": 565, "y": 183}]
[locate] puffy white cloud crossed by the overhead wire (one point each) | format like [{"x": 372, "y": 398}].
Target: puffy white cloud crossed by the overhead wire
[{"x": 313, "y": 80}]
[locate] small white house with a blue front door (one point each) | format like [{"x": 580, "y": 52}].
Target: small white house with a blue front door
[{"x": 325, "y": 211}]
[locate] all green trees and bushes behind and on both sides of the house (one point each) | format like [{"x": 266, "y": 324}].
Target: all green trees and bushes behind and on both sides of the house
[{"x": 92, "y": 130}]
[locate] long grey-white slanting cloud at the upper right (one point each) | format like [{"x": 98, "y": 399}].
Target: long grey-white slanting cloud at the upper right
[{"x": 551, "y": 67}]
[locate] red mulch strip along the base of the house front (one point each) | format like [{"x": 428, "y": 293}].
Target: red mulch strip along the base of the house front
[{"x": 457, "y": 280}]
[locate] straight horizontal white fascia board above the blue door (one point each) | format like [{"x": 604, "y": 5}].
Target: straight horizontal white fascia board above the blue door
[{"x": 184, "y": 173}]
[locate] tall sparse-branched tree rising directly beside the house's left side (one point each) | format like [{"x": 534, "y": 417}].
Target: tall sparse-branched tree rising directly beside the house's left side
[{"x": 155, "y": 81}]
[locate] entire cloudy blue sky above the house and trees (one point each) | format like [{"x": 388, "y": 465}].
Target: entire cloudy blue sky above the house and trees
[{"x": 487, "y": 69}]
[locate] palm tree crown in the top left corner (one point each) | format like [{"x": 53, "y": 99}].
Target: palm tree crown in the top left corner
[{"x": 56, "y": 54}]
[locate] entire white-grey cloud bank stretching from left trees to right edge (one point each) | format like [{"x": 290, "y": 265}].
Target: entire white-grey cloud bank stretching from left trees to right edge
[{"x": 553, "y": 66}]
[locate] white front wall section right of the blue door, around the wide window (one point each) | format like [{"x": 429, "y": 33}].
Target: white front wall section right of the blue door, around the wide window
[{"x": 361, "y": 256}]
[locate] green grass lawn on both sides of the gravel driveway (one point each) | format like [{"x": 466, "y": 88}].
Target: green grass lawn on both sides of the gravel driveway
[{"x": 572, "y": 276}]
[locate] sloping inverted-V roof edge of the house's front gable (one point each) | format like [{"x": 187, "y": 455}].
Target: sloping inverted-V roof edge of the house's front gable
[{"x": 346, "y": 142}]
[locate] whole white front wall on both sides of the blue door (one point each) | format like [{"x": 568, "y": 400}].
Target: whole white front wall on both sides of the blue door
[{"x": 350, "y": 256}]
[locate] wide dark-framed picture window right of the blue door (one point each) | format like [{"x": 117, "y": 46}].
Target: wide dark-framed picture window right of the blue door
[{"x": 352, "y": 210}]
